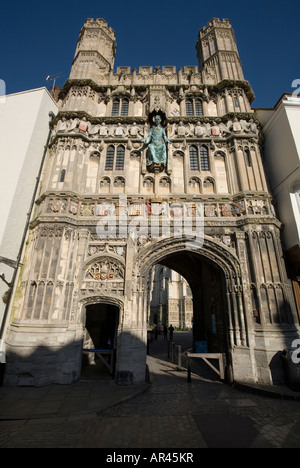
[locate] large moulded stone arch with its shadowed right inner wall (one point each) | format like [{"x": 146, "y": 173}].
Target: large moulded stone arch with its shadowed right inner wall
[{"x": 215, "y": 276}]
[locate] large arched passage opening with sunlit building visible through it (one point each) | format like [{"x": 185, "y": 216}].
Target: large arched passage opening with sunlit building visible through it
[{"x": 198, "y": 312}]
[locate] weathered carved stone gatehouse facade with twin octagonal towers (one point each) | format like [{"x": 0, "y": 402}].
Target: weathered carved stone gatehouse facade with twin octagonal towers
[{"x": 105, "y": 216}]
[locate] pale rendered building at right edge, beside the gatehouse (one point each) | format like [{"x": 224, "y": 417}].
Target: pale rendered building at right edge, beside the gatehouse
[{"x": 281, "y": 128}]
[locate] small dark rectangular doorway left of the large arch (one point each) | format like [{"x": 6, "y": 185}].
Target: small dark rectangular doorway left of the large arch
[{"x": 100, "y": 341}]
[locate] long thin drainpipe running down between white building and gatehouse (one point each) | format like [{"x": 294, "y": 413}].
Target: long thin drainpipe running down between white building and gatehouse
[{"x": 17, "y": 263}]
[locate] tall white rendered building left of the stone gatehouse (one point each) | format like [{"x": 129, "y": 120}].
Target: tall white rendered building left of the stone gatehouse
[{"x": 24, "y": 131}]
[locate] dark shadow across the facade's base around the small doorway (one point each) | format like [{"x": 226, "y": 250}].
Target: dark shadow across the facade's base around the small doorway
[{"x": 44, "y": 365}]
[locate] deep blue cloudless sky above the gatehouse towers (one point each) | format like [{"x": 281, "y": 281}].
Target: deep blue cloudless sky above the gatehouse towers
[{"x": 39, "y": 38}]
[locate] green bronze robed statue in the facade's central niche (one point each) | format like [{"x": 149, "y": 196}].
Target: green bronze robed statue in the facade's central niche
[{"x": 157, "y": 139}]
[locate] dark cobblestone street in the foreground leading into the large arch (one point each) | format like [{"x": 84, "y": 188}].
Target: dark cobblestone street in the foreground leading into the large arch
[{"x": 171, "y": 413}]
